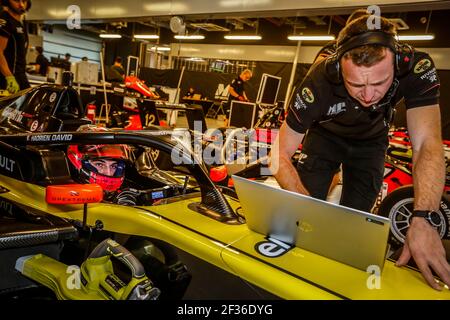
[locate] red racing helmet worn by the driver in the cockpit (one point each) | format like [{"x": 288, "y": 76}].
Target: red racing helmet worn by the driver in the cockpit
[{"x": 88, "y": 159}]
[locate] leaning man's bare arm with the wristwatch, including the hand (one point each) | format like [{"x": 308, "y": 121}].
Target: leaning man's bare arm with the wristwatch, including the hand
[{"x": 422, "y": 241}]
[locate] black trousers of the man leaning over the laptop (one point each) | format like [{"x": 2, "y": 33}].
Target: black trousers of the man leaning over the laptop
[{"x": 362, "y": 167}]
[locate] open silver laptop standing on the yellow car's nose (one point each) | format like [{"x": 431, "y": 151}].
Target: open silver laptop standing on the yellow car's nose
[{"x": 347, "y": 235}]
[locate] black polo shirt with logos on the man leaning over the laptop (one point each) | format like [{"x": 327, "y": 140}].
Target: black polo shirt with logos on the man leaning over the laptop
[{"x": 320, "y": 103}]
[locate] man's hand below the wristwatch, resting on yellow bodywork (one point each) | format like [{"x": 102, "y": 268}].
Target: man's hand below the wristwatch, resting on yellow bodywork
[{"x": 425, "y": 246}]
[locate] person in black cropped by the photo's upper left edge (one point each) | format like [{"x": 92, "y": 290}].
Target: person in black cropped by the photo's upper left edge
[{"x": 13, "y": 45}]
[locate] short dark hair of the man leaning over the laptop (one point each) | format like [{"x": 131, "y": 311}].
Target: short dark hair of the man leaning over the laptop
[{"x": 366, "y": 55}]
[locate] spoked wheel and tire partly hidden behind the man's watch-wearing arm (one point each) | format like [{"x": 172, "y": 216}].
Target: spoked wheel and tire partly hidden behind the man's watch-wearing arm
[{"x": 398, "y": 206}]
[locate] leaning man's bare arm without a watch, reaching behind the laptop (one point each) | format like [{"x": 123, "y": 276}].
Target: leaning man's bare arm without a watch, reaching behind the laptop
[{"x": 281, "y": 166}]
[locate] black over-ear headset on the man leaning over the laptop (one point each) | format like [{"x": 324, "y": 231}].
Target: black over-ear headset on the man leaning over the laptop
[{"x": 404, "y": 53}]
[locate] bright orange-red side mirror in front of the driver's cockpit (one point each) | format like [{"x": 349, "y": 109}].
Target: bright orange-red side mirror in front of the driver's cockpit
[{"x": 73, "y": 194}]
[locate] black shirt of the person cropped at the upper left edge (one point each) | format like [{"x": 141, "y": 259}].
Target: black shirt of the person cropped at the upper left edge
[{"x": 16, "y": 49}]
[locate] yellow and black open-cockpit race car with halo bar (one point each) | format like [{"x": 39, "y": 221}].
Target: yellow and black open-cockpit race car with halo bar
[{"x": 194, "y": 218}]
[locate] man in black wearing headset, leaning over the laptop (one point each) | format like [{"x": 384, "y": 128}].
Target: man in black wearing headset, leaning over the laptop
[{"x": 345, "y": 106}]
